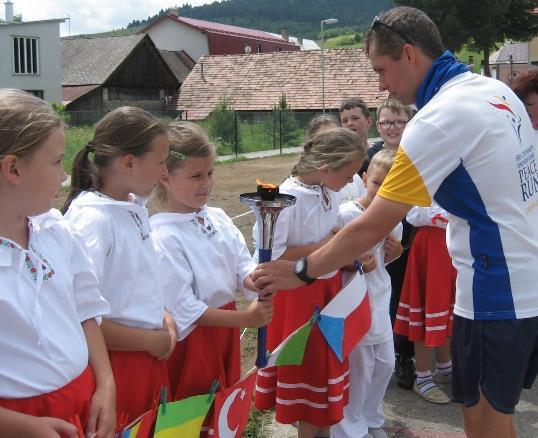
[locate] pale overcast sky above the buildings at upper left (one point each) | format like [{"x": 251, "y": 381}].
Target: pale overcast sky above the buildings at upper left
[{"x": 91, "y": 16}]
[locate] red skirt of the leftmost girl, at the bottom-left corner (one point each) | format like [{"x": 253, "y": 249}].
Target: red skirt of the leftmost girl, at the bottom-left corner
[{"x": 64, "y": 403}]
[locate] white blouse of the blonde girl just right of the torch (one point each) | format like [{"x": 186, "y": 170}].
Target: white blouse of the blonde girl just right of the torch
[{"x": 309, "y": 221}]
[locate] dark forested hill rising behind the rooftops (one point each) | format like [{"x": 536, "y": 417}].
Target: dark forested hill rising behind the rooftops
[{"x": 300, "y": 17}]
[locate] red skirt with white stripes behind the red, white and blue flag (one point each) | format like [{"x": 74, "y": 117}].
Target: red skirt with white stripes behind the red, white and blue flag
[{"x": 317, "y": 390}]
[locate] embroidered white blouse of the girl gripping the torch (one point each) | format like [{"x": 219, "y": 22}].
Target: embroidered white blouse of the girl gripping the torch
[{"x": 202, "y": 260}]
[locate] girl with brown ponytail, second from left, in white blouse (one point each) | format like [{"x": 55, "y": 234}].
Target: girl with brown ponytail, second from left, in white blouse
[{"x": 126, "y": 159}]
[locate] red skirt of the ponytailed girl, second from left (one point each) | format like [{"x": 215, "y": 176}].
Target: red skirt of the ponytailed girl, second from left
[{"x": 139, "y": 378}]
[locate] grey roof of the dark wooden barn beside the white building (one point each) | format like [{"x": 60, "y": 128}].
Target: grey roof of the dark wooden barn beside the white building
[{"x": 88, "y": 61}]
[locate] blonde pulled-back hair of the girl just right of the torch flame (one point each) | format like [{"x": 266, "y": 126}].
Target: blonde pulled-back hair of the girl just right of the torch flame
[{"x": 334, "y": 148}]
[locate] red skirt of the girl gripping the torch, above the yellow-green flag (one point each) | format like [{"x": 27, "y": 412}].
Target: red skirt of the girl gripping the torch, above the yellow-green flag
[{"x": 206, "y": 354}]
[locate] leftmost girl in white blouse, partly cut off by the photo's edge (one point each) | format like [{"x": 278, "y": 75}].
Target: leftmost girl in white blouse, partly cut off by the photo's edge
[{"x": 54, "y": 364}]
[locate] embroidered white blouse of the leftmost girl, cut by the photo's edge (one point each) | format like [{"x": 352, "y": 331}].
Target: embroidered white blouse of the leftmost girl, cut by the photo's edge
[{"x": 47, "y": 291}]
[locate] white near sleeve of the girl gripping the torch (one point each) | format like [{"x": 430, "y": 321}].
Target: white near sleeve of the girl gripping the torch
[{"x": 177, "y": 281}]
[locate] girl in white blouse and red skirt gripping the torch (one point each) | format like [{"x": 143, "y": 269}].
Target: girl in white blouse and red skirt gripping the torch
[{"x": 202, "y": 260}]
